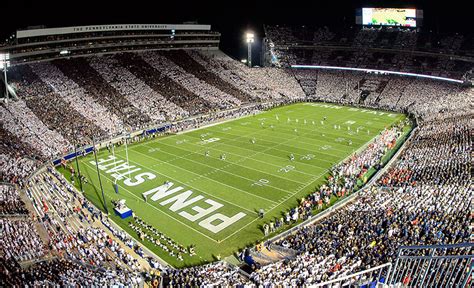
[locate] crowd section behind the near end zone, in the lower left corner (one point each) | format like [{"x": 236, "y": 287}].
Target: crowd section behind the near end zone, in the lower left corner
[{"x": 75, "y": 236}]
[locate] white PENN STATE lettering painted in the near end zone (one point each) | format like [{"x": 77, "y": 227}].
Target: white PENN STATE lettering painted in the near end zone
[{"x": 168, "y": 195}]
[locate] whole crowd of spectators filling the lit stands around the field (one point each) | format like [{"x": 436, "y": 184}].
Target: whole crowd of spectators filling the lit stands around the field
[{"x": 423, "y": 198}]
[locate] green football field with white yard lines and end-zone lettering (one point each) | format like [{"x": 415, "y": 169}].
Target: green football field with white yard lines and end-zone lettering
[{"x": 213, "y": 203}]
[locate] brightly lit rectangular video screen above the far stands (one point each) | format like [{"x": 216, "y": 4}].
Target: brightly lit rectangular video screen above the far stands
[{"x": 389, "y": 17}]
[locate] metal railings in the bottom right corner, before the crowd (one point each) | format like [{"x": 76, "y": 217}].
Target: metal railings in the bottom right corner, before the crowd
[{"x": 417, "y": 266}]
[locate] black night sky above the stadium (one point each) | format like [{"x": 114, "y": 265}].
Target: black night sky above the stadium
[{"x": 231, "y": 18}]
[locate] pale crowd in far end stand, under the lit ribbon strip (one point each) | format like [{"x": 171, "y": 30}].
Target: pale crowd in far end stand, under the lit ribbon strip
[{"x": 427, "y": 99}]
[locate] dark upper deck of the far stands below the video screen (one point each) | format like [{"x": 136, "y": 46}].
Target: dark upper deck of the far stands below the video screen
[{"x": 385, "y": 48}]
